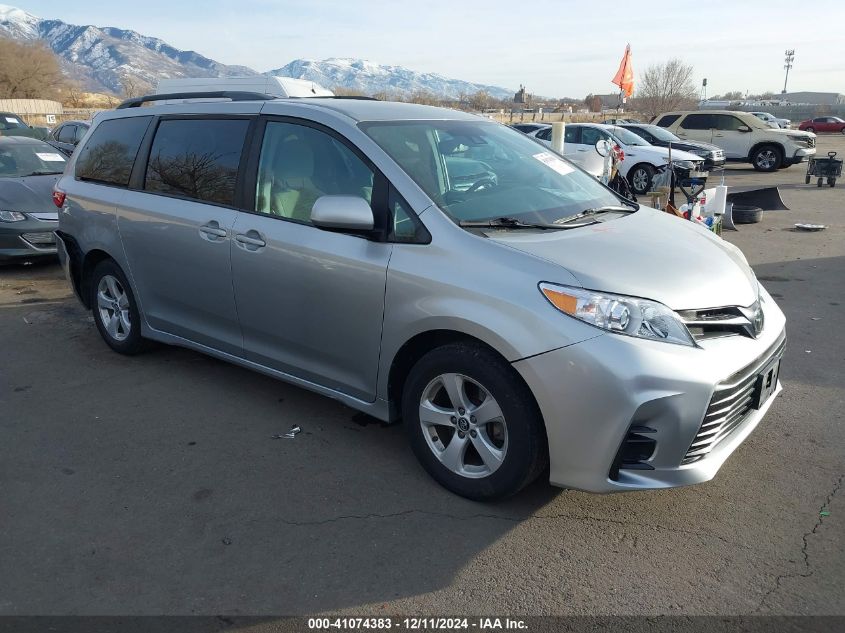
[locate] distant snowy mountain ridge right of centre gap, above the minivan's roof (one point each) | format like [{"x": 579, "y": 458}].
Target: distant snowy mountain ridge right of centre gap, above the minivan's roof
[{"x": 370, "y": 78}]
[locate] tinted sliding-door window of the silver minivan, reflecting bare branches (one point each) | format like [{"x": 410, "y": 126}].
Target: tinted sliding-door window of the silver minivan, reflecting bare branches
[{"x": 197, "y": 159}]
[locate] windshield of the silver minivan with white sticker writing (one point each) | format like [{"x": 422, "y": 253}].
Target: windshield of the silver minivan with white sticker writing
[{"x": 478, "y": 171}]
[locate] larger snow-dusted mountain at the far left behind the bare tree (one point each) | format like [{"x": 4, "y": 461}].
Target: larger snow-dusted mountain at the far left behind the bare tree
[{"x": 100, "y": 57}]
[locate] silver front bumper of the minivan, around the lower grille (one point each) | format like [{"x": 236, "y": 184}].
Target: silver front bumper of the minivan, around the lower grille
[{"x": 594, "y": 393}]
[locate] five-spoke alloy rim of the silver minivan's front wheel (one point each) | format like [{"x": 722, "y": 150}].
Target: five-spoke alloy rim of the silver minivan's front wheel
[{"x": 463, "y": 425}]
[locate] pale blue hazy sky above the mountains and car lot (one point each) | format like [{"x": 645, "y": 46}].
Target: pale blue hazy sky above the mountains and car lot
[{"x": 555, "y": 48}]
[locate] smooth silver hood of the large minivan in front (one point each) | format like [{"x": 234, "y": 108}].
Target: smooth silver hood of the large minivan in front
[{"x": 647, "y": 254}]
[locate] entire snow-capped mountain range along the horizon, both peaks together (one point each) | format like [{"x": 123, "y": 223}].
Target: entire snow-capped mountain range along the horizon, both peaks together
[{"x": 104, "y": 59}]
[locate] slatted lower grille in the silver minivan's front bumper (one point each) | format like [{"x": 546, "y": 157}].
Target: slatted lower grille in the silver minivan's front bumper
[{"x": 731, "y": 403}]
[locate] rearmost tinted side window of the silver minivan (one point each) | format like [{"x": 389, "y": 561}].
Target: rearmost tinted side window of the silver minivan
[{"x": 109, "y": 154}]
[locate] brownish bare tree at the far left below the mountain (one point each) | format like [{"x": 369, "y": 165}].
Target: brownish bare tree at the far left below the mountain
[{"x": 29, "y": 71}]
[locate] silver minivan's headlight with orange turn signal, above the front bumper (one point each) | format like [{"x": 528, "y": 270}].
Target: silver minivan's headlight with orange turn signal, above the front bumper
[{"x": 640, "y": 318}]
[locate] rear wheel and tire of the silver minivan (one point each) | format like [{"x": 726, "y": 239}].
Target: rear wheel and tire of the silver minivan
[{"x": 115, "y": 310}]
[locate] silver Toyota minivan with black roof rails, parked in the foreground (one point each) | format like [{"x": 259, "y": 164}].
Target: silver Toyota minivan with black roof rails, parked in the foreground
[{"x": 430, "y": 266}]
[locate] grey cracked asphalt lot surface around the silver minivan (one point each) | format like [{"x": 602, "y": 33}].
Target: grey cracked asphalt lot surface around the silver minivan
[{"x": 151, "y": 485}]
